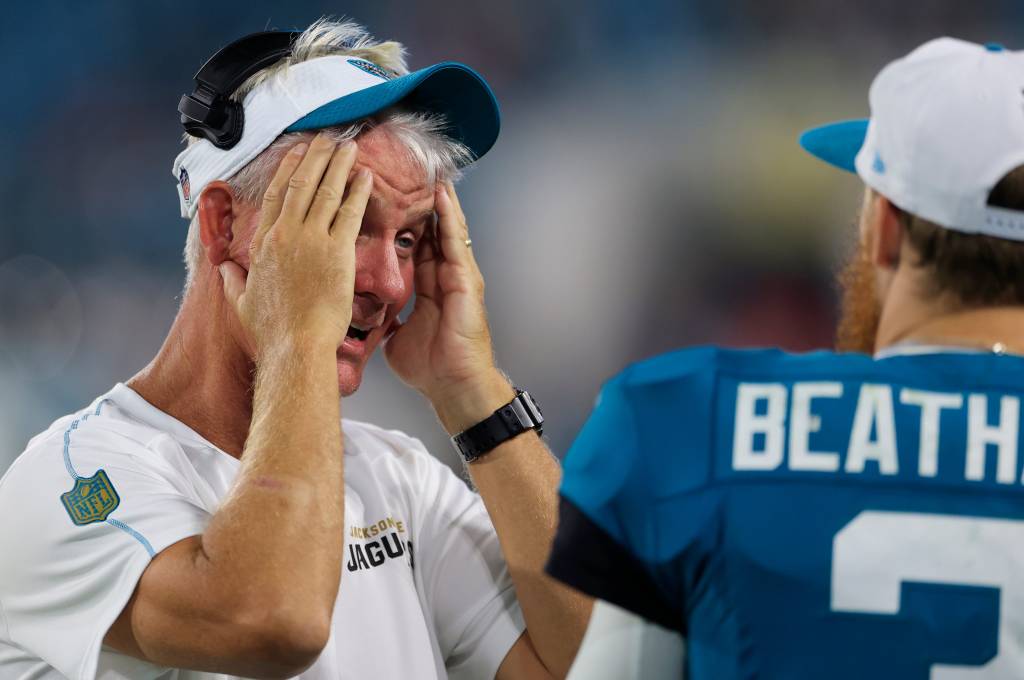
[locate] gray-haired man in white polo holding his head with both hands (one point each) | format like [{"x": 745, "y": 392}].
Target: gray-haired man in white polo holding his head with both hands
[{"x": 215, "y": 517}]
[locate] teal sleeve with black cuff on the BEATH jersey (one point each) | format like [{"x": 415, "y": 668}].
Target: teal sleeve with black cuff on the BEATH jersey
[{"x": 604, "y": 514}]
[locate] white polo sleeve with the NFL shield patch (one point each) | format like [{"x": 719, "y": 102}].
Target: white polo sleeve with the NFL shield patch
[{"x": 81, "y": 518}]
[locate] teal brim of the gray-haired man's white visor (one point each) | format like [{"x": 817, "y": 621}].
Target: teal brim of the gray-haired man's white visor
[{"x": 451, "y": 90}]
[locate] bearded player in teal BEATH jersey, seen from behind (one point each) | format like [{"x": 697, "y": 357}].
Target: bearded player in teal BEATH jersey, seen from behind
[{"x": 757, "y": 515}]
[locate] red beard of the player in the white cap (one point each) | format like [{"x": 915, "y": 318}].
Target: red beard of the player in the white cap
[{"x": 861, "y": 312}]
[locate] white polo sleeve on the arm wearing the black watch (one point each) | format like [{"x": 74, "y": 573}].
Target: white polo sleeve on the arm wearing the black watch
[{"x": 467, "y": 587}]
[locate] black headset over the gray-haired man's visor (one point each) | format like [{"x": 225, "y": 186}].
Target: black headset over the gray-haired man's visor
[{"x": 209, "y": 112}]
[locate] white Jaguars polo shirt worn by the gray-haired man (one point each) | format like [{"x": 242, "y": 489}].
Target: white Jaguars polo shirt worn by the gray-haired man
[{"x": 425, "y": 591}]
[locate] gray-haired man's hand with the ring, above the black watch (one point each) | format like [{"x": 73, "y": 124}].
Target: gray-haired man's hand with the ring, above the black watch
[{"x": 446, "y": 344}]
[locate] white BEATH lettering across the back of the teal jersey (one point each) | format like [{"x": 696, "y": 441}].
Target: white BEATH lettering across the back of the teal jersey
[{"x": 874, "y": 429}]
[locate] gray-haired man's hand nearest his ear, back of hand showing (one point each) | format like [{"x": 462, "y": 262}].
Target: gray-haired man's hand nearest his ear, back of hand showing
[{"x": 304, "y": 253}]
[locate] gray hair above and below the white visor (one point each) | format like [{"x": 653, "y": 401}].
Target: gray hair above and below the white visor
[{"x": 421, "y": 135}]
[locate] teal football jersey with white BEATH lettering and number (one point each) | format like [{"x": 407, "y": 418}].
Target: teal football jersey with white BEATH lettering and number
[{"x": 808, "y": 517}]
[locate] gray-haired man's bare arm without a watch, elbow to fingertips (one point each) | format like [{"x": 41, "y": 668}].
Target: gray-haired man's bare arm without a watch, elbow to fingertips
[{"x": 254, "y": 596}]
